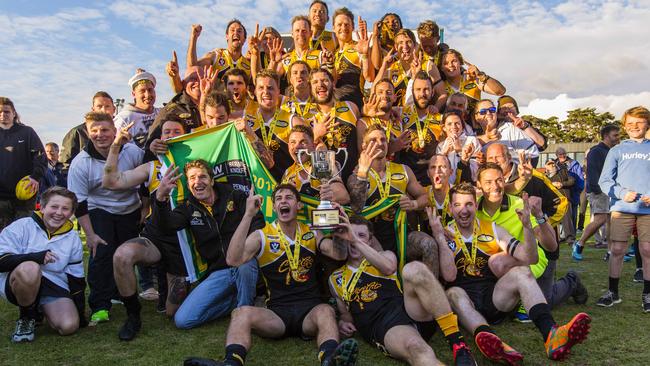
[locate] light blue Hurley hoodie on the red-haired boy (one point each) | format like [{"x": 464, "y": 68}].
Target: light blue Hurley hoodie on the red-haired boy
[{"x": 627, "y": 168}]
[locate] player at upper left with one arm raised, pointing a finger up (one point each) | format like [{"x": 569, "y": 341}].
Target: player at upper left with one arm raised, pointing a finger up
[{"x": 221, "y": 60}]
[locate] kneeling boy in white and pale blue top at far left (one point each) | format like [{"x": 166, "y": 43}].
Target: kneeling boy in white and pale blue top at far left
[{"x": 41, "y": 265}]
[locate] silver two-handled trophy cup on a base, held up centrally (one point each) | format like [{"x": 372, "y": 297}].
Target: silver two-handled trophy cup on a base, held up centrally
[{"x": 323, "y": 163}]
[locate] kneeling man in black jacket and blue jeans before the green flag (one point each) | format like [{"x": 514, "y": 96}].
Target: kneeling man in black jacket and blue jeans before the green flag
[{"x": 212, "y": 214}]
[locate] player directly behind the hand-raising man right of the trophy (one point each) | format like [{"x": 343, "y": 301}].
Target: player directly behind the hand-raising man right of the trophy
[{"x": 379, "y": 111}]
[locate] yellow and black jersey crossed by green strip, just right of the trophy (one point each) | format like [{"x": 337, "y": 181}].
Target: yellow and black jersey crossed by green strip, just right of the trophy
[{"x": 395, "y": 182}]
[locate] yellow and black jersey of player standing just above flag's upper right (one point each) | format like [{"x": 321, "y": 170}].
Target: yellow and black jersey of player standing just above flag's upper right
[{"x": 275, "y": 135}]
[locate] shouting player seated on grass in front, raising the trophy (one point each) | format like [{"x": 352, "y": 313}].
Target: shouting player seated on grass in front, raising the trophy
[{"x": 286, "y": 251}]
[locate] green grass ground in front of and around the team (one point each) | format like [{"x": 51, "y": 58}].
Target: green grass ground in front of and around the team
[{"x": 619, "y": 335}]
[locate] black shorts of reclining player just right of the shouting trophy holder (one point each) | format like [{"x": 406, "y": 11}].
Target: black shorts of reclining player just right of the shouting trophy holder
[{"x": 392, "y": 315}]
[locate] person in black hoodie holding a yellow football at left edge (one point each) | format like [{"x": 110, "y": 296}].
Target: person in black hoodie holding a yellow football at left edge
[{"x": 21, "y": 154}]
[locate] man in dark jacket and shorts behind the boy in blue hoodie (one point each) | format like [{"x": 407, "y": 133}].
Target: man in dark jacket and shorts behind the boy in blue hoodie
[{"x": 598, "y": 200}]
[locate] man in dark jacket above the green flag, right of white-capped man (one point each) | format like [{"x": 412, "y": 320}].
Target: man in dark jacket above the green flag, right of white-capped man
[{"x": 184, "y": 106}]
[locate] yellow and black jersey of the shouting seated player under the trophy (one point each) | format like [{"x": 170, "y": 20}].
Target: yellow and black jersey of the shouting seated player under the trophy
[{"x": 287, "y": 283}]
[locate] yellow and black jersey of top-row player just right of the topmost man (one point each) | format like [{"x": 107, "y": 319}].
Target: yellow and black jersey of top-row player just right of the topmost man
[{"x": 350, "y": 81}]
